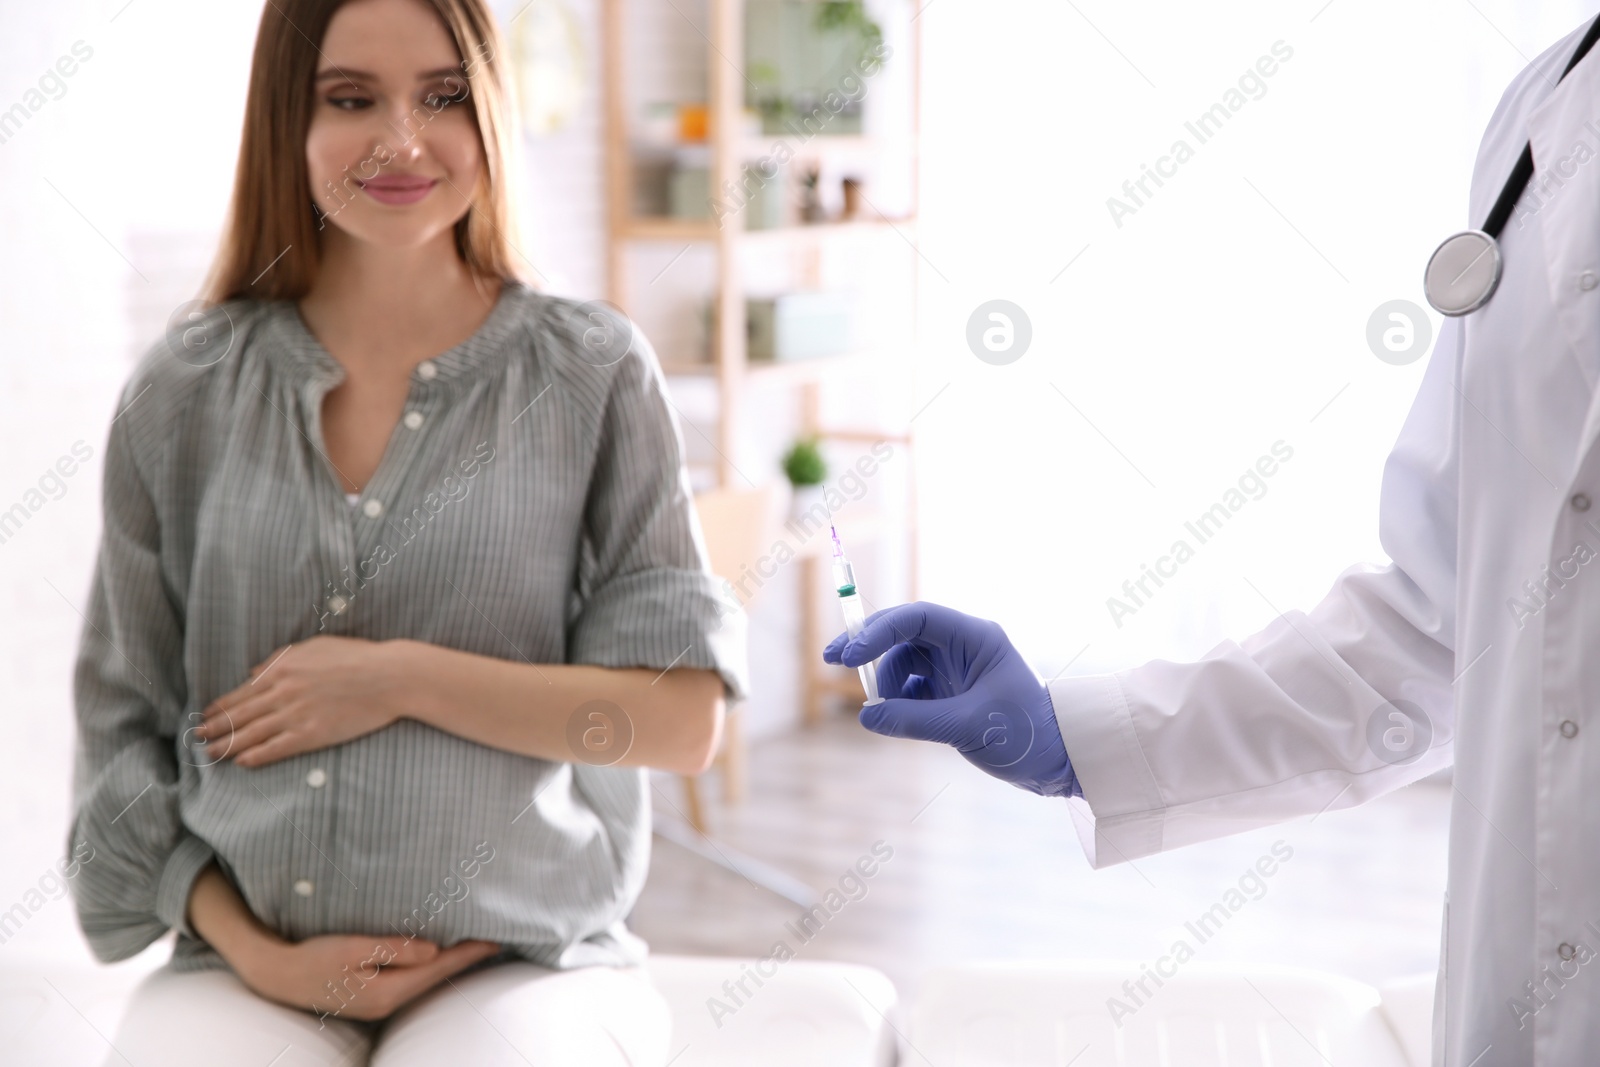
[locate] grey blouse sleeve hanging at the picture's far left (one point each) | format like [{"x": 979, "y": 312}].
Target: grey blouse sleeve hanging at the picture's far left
[{"x": 129, "y": 692}]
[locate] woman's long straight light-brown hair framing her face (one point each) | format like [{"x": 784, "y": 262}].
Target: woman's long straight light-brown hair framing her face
[{"x": 271, "y": 246}]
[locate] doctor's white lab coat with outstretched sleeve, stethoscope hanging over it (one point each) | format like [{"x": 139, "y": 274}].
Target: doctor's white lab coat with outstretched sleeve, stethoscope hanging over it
[{"x": 1489, "y": 486}]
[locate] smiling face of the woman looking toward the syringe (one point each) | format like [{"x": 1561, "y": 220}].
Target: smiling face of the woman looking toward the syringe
[{"x": 394, "y": 151}]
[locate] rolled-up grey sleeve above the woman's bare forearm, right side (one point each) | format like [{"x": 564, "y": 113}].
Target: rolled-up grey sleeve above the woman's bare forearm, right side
[{"x": 649, "y": 597}]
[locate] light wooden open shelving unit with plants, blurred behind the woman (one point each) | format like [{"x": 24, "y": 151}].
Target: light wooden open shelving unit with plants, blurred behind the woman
[{"x": 729, "y": 369}]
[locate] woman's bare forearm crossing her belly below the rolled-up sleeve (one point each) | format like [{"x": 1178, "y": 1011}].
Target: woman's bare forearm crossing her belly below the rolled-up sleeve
[{"x": 673, "y": 719}]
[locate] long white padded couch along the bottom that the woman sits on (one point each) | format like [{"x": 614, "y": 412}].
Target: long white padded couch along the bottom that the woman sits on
[{"x": 842, "y": 1015}]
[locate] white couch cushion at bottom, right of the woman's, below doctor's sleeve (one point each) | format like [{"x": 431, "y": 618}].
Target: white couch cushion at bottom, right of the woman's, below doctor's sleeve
[{"x": 1047, "y": 1015}]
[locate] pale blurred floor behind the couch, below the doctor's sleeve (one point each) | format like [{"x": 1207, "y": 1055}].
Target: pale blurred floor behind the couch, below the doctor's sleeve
[{"x": 983, "y": 871}]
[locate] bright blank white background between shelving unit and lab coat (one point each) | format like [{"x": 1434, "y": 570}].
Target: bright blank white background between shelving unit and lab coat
[{"x": 1222, "y": 318}]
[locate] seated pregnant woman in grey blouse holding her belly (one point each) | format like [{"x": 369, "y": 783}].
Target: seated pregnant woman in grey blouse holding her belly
[{"x": 401, "y": 591}]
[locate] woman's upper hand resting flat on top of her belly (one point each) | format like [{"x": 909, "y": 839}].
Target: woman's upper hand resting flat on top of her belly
[{"x": 319, "y": 693}]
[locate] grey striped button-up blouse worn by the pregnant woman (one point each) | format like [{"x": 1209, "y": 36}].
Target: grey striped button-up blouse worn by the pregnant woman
[{"x": 532, "y": 505}]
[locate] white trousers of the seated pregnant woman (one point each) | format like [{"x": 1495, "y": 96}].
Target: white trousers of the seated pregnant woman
[{"x": 510, "y": 1013}]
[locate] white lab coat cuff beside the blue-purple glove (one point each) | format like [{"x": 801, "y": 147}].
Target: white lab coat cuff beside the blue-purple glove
[{"x": 1119, "y": 788}]
